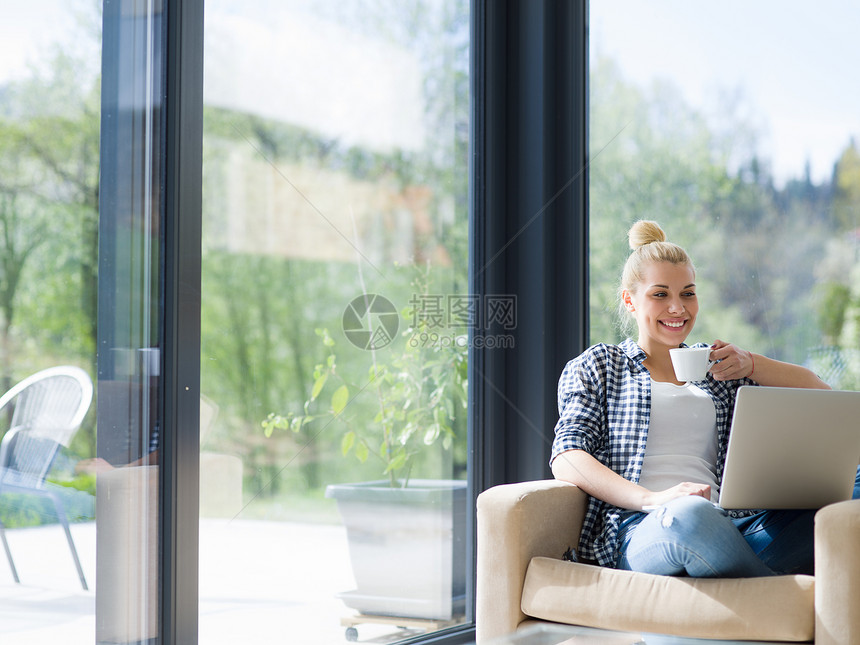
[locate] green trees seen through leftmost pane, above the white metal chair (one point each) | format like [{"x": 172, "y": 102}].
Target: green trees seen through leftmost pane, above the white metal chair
[{"x": 49, "y": 148}]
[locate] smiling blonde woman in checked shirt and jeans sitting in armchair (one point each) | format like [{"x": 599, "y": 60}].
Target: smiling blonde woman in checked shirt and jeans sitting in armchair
[{"x": 634, "y": 437}]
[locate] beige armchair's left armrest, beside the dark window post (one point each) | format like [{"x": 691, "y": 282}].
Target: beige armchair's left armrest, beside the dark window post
[{"x": 517, "y": 522}]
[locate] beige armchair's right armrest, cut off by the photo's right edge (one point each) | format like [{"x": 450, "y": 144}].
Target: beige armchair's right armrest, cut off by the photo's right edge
[{"x": 837, "y": 573}]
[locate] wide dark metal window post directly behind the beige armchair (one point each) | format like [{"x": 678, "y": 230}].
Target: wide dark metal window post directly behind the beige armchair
[{"x": 529, "y": 222}]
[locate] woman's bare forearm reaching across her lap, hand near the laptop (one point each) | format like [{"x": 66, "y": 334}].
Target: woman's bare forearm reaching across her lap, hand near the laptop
[{"x": 580, "y": 468}]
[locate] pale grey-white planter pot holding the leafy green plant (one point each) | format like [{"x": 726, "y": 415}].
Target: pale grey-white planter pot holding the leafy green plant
[{"x": 407, "y": 547}]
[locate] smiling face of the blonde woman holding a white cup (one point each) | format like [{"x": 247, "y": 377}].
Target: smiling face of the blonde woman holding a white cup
[{"x": 664, "y": 305}]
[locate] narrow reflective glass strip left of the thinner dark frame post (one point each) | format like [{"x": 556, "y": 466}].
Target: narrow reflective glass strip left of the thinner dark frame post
[{"x": 130, "y": 311}]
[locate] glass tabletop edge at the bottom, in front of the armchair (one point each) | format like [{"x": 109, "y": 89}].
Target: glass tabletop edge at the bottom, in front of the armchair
[{"x": 574, "y": 635}]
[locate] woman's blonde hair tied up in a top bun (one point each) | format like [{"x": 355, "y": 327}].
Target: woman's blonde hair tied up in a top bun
[{"x": 649, "y": 245}]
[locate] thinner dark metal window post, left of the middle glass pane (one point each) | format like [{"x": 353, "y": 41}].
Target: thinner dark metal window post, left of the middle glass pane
[{"x": 183, "y": 191}]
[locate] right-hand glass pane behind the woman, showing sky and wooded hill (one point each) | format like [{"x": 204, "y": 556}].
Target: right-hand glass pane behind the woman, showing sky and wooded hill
[{"x": 708, "y": 118}]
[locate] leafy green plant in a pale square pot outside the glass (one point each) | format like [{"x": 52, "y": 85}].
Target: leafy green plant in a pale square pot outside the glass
[{"x": 406, "y": 535}]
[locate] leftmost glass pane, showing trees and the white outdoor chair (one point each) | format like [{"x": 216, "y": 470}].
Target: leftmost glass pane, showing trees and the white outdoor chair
[{"x": 49, "y": 192}]
